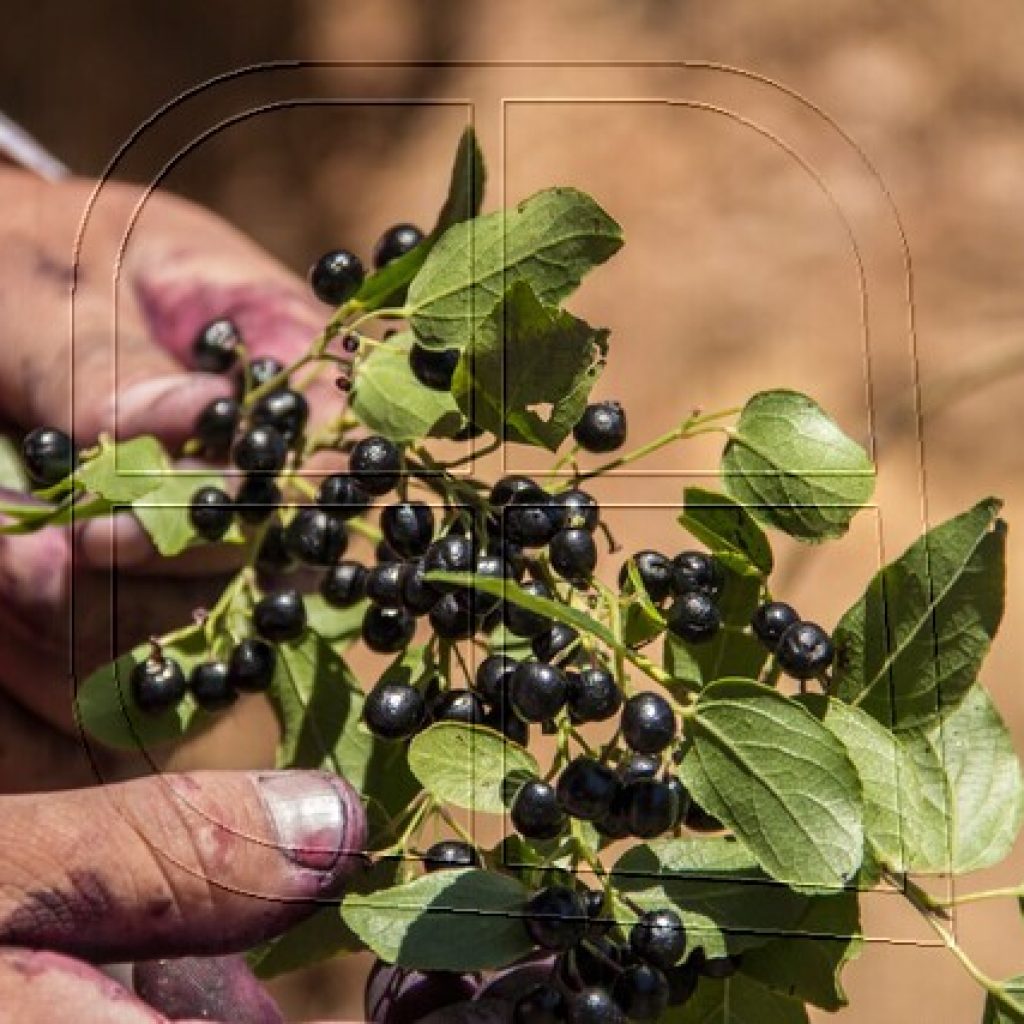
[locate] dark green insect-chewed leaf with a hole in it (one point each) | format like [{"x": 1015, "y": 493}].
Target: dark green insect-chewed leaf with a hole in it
[{"x": 529, "y": 371}]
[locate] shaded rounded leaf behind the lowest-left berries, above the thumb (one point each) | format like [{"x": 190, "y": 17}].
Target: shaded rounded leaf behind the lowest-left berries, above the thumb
[{"x": 106, "y": 710}]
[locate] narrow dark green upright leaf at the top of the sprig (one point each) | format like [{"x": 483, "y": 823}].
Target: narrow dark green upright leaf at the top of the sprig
[{"x": 388, "y": 287}]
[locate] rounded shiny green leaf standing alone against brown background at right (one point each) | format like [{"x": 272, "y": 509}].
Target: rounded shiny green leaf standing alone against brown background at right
[{"x": 795, "y": 470}]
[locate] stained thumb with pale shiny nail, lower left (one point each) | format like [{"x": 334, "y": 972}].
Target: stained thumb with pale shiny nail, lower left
[{"x": 172, "y": 866}]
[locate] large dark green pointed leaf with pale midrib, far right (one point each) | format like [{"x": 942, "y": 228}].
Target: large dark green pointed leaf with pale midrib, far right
[{"x": 915, "y": 643}]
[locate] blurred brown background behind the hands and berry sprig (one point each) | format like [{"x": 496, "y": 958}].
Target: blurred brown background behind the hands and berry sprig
[{"x": 739, "y": 274}]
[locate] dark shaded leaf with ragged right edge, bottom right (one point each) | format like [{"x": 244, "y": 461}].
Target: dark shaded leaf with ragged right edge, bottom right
[{"x": 808, "y": 965}]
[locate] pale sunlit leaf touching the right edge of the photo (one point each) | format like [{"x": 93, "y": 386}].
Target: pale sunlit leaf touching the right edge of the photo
[{"x": 975, "y": 756}]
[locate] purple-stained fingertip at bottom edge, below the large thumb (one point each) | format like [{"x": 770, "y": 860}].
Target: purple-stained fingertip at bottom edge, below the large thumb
[{"x": 208, "y": 989}]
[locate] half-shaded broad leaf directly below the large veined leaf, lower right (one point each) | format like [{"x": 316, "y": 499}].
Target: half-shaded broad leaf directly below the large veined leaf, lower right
[{"x": 728, "y": 904}]
